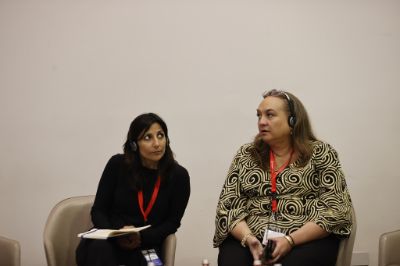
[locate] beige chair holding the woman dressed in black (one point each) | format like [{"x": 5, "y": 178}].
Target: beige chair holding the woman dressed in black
[{"x": 72, "y": 216}]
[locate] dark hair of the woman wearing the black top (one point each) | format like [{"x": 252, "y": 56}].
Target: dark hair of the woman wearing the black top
[{"x": 132, "y": 156}]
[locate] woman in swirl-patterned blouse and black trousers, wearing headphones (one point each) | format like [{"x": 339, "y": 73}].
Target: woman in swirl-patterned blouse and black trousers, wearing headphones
[{"x": 285, "y": 199}]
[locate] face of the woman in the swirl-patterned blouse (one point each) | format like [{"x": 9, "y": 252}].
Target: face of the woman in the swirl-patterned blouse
[{"x": 273, "y": 124}]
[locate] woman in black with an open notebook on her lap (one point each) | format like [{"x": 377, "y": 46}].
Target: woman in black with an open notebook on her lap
[{"x": 143, "y": 186}]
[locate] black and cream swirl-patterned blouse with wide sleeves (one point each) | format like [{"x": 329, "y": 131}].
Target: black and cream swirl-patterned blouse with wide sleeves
[{"x": 316, "y": 192}]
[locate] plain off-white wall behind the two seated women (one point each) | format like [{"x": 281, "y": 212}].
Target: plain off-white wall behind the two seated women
[{"x": 73, "y": 74}]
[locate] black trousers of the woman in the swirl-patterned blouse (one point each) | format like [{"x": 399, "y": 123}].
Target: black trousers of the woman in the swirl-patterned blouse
[{"x": 322, "y": 252}]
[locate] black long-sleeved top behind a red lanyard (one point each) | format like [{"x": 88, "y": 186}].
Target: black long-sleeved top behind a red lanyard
[{"x": 116, "y": 202}]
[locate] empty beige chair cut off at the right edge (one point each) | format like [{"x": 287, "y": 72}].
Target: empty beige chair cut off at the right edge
[{"x": 389, "y": 249}]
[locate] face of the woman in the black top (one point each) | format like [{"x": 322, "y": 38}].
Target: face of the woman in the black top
[{"x": 152, "y": 145}]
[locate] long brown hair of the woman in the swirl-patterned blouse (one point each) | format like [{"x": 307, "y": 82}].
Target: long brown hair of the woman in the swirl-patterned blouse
[{"x": 302, "y": 134}]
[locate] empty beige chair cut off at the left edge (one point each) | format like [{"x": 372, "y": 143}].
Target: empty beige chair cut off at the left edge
[{"x": 10, "y": 252}]
